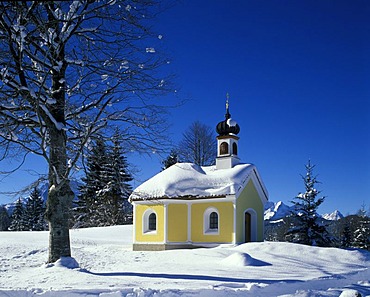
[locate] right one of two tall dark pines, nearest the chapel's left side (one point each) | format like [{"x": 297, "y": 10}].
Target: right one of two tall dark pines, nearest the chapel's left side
[{"x": 117, "y": 189}]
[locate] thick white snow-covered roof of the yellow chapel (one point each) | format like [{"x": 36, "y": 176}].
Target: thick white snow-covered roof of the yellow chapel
[{"x": 187, "y": 180}]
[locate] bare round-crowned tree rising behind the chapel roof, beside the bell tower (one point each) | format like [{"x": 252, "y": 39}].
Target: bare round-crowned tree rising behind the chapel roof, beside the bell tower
[{"x": 198, "y": 145}]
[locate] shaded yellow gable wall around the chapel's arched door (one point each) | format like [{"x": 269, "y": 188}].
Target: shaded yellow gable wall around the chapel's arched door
[{"x": 249, "y": 199}]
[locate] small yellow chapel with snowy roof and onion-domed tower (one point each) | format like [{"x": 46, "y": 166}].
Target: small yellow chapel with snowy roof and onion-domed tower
[{"x": 188, "y": 206}]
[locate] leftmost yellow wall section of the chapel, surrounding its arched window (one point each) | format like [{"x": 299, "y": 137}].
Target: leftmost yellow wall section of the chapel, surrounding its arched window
[{"x": 140, "y": 235}]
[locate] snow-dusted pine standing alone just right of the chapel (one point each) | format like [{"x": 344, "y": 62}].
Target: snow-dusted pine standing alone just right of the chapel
[{"x": 307, "y": 226}]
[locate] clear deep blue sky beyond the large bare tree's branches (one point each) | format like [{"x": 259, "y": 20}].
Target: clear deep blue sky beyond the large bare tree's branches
[{"x": 298, "y": 75}]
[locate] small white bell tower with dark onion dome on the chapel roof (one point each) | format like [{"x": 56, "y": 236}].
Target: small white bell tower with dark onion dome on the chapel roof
[{"x": 227, "y": 141}]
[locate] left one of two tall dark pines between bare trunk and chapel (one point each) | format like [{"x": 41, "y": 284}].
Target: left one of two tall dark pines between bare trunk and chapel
[{"x": 89, "y": 211}]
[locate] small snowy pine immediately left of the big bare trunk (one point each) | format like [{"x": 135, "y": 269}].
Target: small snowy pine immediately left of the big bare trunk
[{"x": 34, "y": 212}]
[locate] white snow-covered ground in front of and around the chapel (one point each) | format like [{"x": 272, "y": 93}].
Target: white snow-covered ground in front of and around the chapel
[{"x": 105, "y": 265}]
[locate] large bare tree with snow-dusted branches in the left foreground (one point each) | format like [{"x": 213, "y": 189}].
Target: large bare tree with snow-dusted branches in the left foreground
[{"x": 68, "y": 70}]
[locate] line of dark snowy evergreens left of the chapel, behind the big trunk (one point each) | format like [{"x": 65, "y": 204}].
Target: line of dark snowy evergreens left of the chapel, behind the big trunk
[{"x": 103, "y": 198}]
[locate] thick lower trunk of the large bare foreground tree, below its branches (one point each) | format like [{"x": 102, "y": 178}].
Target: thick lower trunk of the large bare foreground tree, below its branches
[{"x": 60, "y": 198}]
